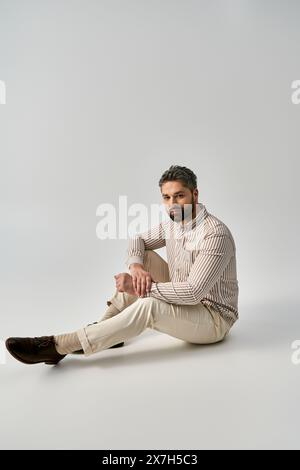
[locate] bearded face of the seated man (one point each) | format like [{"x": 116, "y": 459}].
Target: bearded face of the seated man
[{"x": 175, "y": 196}]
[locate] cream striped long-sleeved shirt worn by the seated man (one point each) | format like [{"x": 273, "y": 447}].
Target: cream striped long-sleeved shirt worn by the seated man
[{"x": 201, "y": 256}]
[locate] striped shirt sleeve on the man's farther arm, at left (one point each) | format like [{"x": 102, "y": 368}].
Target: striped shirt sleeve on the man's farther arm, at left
[{"x": 152, "y": 239}]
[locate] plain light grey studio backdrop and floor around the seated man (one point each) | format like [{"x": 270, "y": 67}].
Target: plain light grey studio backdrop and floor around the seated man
[{"x": 101, "y": 98}]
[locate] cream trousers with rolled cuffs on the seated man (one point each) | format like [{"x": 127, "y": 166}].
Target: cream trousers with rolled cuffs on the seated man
[{"x": 192, "y": 323}]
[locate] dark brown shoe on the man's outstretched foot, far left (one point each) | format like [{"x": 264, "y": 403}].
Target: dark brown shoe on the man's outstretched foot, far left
[{"x": 34, "y": 350}]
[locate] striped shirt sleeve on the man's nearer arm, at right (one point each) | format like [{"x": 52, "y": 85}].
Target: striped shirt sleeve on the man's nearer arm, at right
[{"x": 214, "y": 254}]
